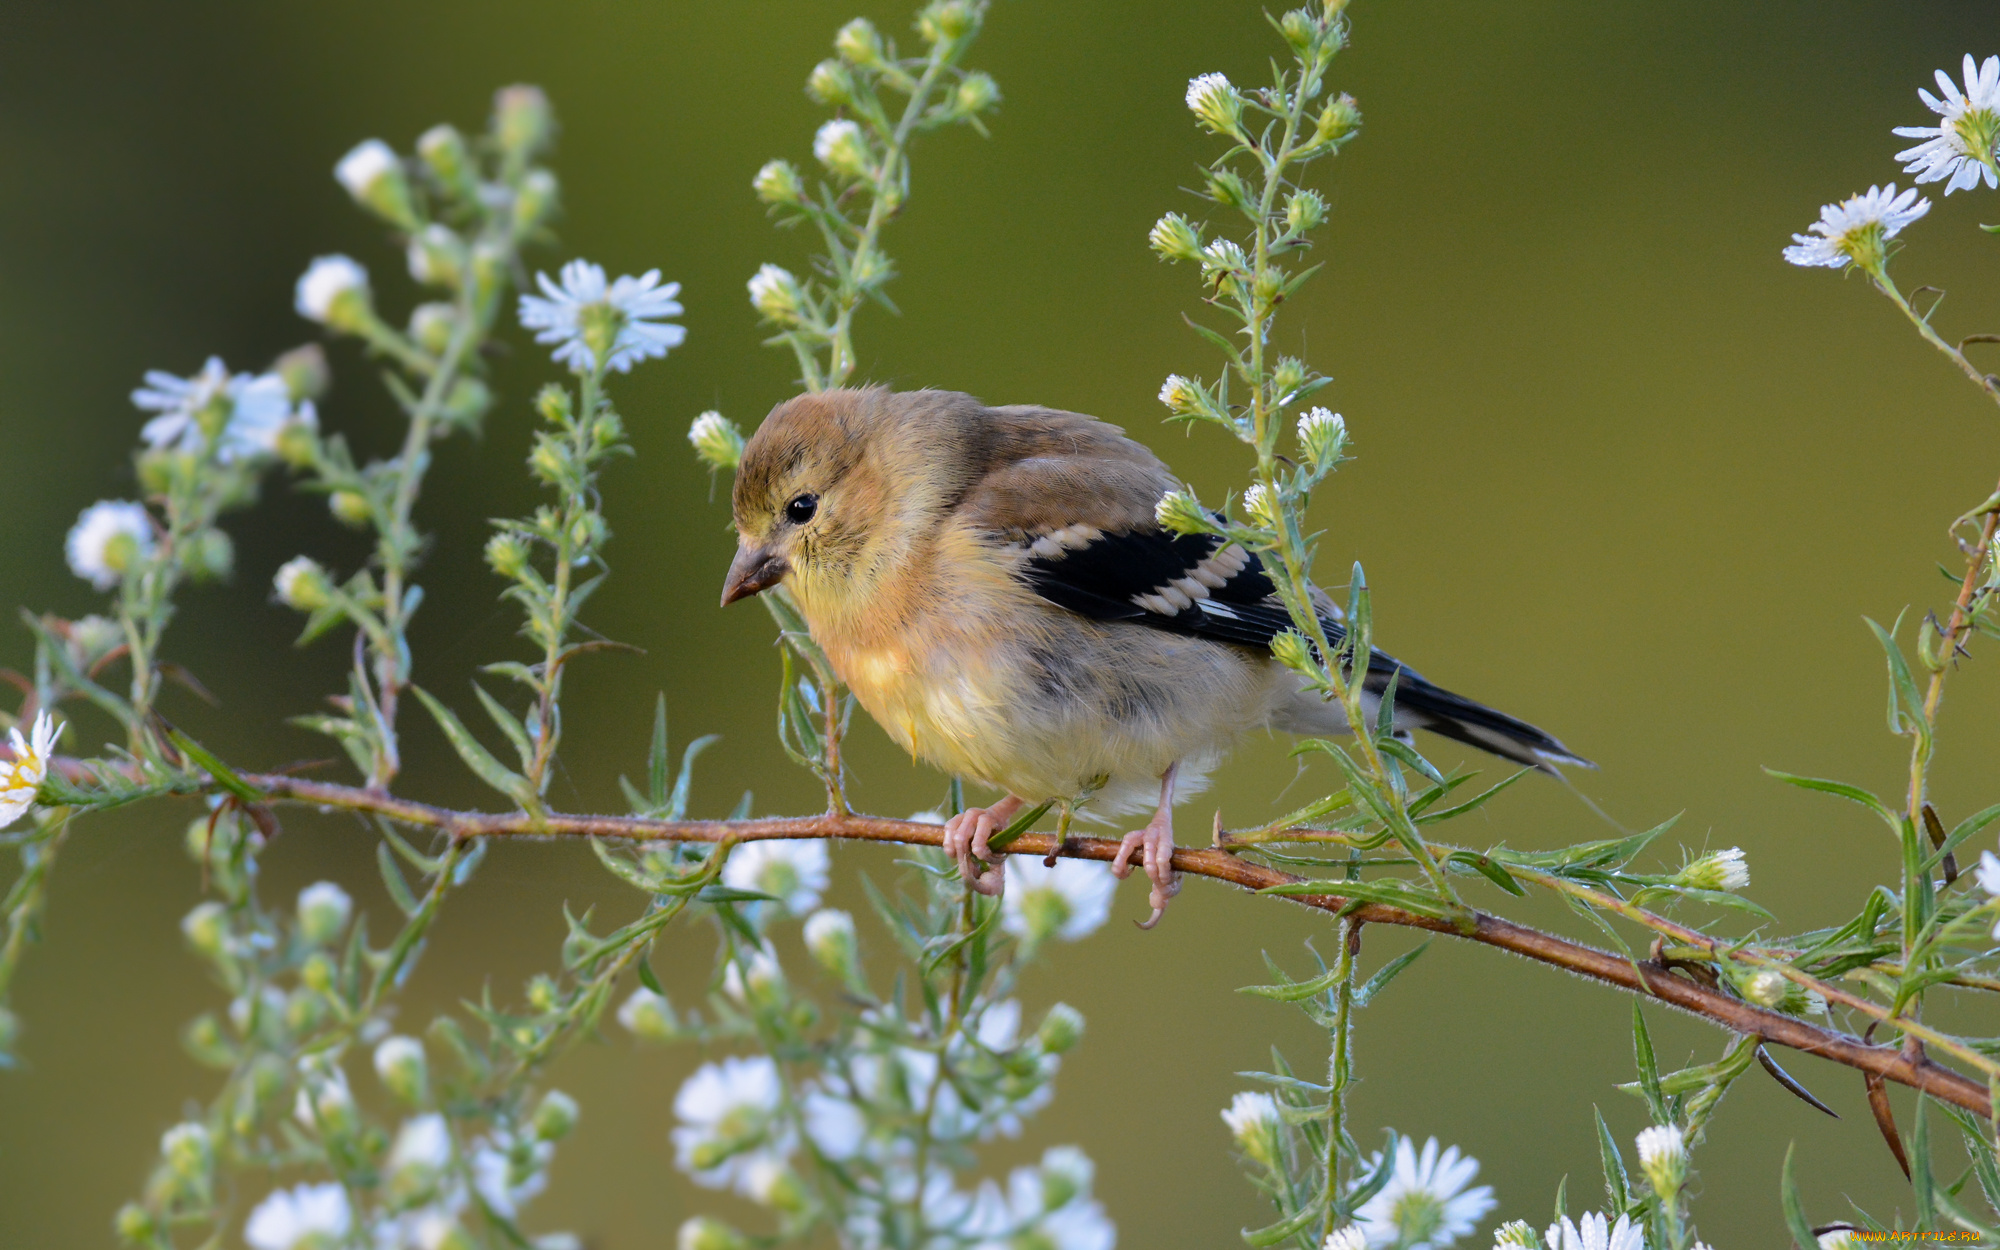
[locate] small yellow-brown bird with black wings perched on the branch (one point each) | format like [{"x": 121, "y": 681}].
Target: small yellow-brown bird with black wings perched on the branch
[{"x": 997, "y": 593}]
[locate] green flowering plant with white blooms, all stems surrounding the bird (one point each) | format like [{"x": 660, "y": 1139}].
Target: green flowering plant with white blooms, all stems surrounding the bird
[{"x": 853, "y": 1103}]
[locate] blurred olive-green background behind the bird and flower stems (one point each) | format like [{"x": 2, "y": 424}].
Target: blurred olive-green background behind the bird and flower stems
[{"x": 1621, "y": 471}]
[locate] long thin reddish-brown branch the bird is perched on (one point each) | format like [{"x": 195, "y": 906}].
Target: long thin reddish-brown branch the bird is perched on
[{"x": 1643, "y": 977}]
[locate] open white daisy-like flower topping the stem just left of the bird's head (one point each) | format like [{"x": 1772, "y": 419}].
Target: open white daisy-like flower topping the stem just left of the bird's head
[{"x": 587, "y": 315}]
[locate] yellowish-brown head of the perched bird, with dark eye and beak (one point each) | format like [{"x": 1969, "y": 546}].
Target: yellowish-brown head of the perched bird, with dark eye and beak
[{"x": 837, "y": 493}]
